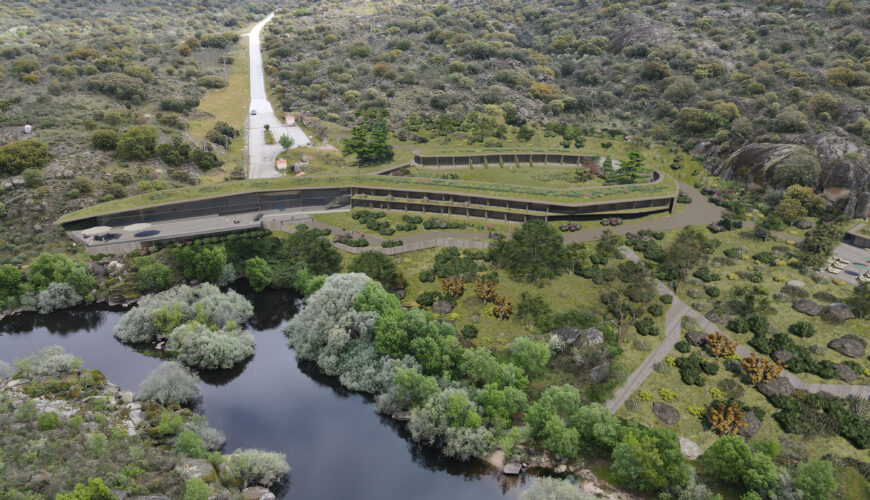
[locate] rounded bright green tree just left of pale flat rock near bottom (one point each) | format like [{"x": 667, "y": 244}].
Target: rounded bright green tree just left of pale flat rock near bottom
[{"x": 649, "y": 460}]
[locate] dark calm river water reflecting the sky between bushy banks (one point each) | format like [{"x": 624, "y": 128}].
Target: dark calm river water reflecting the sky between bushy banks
[{"x": 338, "y": 447}]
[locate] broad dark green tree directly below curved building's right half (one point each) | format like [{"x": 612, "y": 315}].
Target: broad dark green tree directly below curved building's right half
[{"x": 536, "y": 251}]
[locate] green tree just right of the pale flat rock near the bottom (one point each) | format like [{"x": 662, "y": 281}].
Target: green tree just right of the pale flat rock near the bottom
[{"x": 730, "y": 460}]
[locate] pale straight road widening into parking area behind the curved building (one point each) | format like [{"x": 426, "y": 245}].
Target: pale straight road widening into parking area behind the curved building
[{"x": 261, "y": 156}]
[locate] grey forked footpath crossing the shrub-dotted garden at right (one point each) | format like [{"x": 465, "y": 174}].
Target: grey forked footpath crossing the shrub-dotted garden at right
[{"x": 673, "y": 334}]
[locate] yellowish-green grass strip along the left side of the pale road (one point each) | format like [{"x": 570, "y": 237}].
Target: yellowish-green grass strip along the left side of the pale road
[{"x": 230, "y": 105}]
